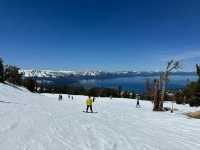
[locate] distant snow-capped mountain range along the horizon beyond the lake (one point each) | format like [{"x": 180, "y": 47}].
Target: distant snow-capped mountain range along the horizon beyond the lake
[{"x": 89, "y": 74}]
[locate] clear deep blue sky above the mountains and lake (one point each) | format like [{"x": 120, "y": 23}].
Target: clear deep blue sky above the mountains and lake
[{"x": 99, "y": 34}]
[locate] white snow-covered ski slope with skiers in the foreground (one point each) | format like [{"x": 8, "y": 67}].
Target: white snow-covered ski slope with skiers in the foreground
[{"x": 40, "y": 122}]
